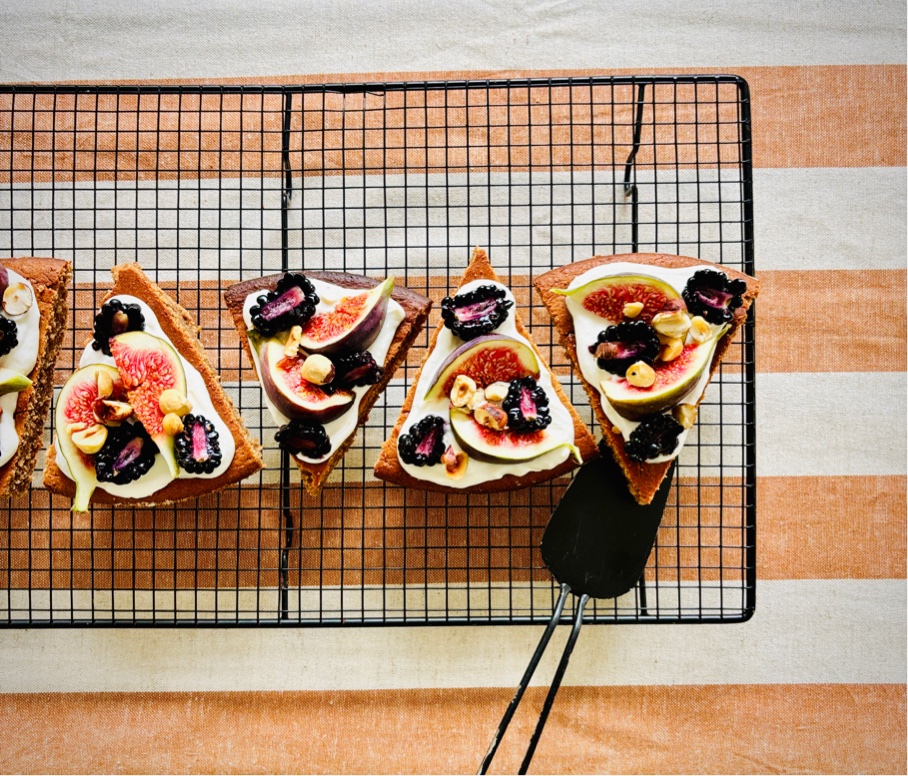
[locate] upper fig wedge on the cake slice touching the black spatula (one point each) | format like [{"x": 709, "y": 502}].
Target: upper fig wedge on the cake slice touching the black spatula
[{"x": 606, "y": 297}]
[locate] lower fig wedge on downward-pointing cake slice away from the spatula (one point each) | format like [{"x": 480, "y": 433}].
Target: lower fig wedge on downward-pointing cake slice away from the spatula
[{"x": 294, "y": 396}]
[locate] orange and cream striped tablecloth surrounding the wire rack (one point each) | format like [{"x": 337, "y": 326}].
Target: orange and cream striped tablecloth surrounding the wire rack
[{"x": 814, "y": 683}]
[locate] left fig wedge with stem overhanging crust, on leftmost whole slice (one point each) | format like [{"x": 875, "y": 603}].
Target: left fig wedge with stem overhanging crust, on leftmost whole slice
[{"x": 75, "y": 405}]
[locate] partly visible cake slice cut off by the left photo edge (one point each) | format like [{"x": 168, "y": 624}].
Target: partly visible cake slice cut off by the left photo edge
[{"x": 32, "y": 322}]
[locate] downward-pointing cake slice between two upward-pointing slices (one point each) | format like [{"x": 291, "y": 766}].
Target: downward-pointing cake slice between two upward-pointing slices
[{"x": 324, "y": 346}]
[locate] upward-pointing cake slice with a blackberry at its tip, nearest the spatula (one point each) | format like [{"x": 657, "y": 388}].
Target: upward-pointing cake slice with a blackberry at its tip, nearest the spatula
[{"x": 485, "y": 412}]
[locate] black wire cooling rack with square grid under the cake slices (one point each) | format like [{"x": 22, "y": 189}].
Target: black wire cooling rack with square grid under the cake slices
[{"x": 207, "y": 185}]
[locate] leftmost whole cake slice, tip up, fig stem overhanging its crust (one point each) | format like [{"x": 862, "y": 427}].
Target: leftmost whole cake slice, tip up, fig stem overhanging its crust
[{"x": 144, "y": 420}]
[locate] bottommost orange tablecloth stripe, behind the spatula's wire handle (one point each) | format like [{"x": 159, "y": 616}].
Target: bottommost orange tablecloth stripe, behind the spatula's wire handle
[{"x": 644, "y": 729}]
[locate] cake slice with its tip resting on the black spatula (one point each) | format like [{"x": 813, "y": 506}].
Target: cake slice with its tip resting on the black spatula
[{"x": 646, "y": 332}]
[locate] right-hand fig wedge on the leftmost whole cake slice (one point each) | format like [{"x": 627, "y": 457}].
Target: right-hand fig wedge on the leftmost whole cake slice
[{"x": 148, "y": 366}]
